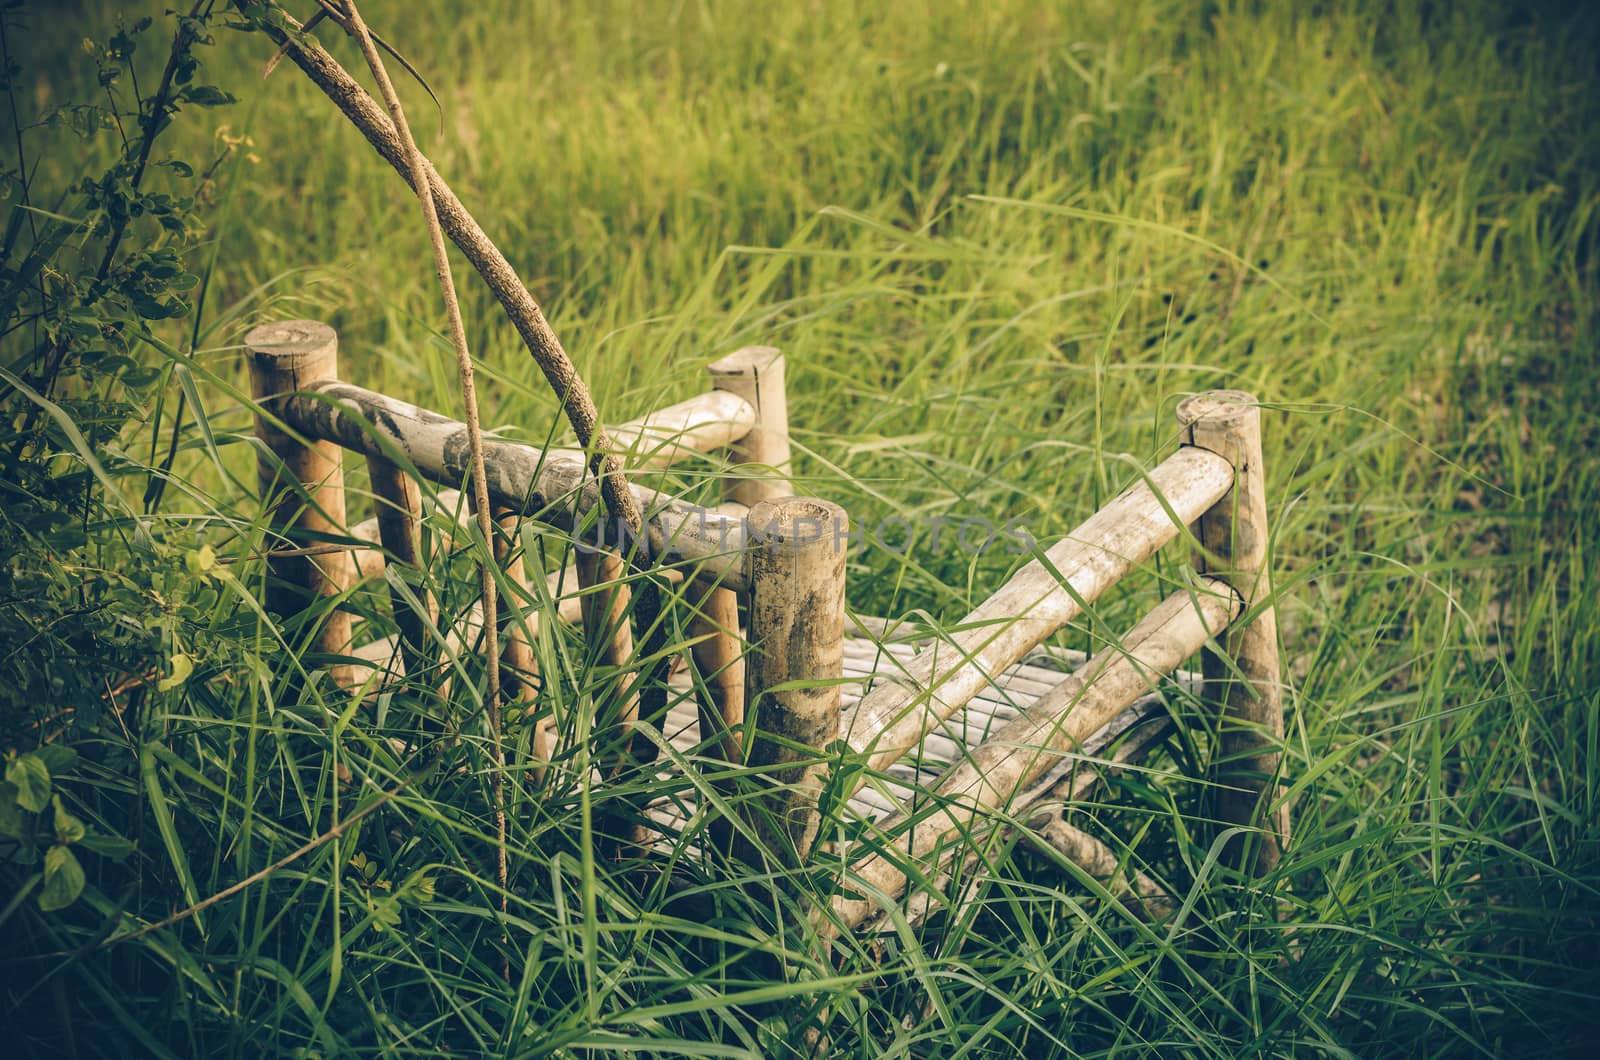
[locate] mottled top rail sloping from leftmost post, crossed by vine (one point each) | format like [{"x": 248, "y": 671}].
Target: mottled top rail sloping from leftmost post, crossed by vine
[{"x": 521, "y": 478}]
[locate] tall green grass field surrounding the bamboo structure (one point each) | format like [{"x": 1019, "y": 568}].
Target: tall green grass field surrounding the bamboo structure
[{"x": 998, "y": 244}]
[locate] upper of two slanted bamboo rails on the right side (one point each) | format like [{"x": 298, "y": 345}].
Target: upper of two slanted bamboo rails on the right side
[{"x": 1038, "y": 601}]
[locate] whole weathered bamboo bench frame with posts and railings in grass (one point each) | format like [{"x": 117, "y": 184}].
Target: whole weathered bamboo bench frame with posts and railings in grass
[{"x": 767, "y": 609}]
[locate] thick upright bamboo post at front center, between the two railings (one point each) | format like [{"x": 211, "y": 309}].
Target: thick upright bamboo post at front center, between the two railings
[{"x": 798, "y": 635}]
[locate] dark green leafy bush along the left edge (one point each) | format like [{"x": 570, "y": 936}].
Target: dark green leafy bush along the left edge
[{"x": 98, "y": 601}]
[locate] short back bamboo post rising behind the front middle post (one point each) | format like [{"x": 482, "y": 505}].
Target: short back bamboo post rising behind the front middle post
[{"x": 762, "y": 457}]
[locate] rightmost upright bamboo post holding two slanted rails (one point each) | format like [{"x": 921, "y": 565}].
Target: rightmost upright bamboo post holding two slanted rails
[{"x": 1234, "y": 540}]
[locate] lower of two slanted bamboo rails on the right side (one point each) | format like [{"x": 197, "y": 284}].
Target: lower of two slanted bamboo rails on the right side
[{"x": 1023, "y": 750}]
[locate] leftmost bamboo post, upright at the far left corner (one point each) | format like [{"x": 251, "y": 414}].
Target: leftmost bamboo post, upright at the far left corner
[{"x": 287, "y": 358}]
